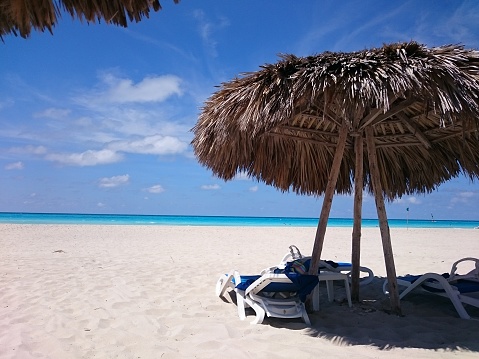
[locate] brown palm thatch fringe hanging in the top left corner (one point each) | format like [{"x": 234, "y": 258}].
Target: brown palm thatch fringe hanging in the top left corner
[{"x": 20, "y": 16}]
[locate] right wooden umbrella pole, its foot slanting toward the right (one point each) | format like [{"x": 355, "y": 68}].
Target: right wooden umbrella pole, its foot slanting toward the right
[{"x": 383, "y": 222}]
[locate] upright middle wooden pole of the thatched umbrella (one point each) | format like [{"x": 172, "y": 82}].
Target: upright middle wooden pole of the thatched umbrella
[{"x": 358, "y": 203}]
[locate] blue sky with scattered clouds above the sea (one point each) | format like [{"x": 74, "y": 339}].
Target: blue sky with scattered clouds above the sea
[{"x": 98, "y": 118}]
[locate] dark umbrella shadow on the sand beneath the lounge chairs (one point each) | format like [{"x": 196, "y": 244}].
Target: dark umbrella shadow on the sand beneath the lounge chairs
[{"x": 428, "y": 322}]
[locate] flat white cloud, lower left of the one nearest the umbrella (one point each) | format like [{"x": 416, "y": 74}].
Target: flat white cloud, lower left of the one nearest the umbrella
[{"x": 87, "y": 158}]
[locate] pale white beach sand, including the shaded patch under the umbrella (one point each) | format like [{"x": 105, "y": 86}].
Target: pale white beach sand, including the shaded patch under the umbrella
[{"x": 88, "y": 291}]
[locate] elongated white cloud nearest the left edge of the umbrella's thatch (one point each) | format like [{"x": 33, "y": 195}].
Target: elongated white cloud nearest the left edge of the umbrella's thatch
[{"x": 150, "y": 145}]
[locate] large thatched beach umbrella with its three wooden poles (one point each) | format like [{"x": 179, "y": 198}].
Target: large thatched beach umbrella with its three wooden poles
[{"x": 299, "y": 125}]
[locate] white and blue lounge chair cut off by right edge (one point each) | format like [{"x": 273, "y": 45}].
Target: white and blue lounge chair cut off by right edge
[{"x": 459, "y": 288}]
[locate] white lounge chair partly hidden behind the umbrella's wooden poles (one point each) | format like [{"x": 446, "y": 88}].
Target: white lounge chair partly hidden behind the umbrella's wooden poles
[{"x": 330, "y": 266}]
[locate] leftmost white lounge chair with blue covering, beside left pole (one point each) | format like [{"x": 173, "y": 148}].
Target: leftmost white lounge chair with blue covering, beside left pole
[{"x": 279, "y": 295}]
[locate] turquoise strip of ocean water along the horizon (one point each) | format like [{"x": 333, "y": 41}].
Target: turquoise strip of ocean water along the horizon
[{"x": 74, "y": 218}]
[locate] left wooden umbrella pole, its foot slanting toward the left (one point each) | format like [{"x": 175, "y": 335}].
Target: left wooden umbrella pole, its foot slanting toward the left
[{"x": 328, "y": 200}]
